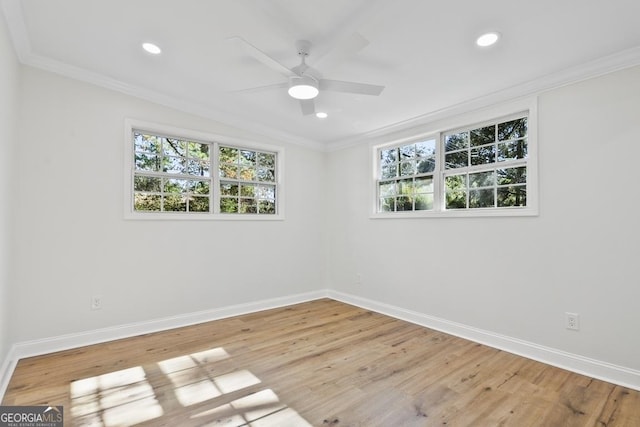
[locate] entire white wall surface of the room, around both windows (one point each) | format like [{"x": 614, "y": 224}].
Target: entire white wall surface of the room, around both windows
[{"x": 71, "y": 240}]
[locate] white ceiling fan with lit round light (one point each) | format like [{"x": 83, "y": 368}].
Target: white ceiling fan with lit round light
[{"x": 304, "y": 82}]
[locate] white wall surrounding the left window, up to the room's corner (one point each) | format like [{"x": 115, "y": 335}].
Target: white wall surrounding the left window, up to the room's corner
[{"x": 73, "y": 241}]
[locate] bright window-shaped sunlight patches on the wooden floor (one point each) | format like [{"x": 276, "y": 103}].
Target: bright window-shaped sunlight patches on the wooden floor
[{"x": 146, "y": 394}]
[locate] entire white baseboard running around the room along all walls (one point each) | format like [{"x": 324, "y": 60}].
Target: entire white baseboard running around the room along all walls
[{"x": 620, "y": 375}]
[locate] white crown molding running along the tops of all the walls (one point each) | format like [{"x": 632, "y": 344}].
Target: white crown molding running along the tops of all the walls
[{"x": 12, "y": 10}]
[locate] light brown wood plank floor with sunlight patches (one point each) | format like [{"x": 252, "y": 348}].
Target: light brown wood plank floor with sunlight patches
[{"x": 322, "y": 363}]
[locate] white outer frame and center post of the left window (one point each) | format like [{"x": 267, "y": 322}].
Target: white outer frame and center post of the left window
[{"x": 215, "y": 140}]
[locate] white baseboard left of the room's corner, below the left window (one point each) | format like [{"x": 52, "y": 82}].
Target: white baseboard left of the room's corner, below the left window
[{"x": 68, "y": 341}]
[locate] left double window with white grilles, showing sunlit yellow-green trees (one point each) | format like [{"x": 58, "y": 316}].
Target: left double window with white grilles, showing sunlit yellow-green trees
[{"x": 199, "y": 176}]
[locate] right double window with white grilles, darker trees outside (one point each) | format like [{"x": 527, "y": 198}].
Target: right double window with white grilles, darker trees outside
[{"x": 484, "y": 169}]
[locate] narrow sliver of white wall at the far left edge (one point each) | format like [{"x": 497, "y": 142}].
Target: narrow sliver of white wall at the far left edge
[{"x": 9, "y": 80}]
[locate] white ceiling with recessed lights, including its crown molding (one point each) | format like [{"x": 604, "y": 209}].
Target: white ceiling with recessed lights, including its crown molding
[{"x": 422, "y": 51}]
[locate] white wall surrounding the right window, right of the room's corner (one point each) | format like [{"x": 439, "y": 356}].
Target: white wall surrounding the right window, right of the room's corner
[{"x": 518, "y": 276}]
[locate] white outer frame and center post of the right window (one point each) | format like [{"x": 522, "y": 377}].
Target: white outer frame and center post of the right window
[{"x": 436, "y": 130}]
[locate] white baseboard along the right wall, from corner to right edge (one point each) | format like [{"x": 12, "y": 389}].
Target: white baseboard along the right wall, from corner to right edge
[{"x": 608, "y": 372}]
